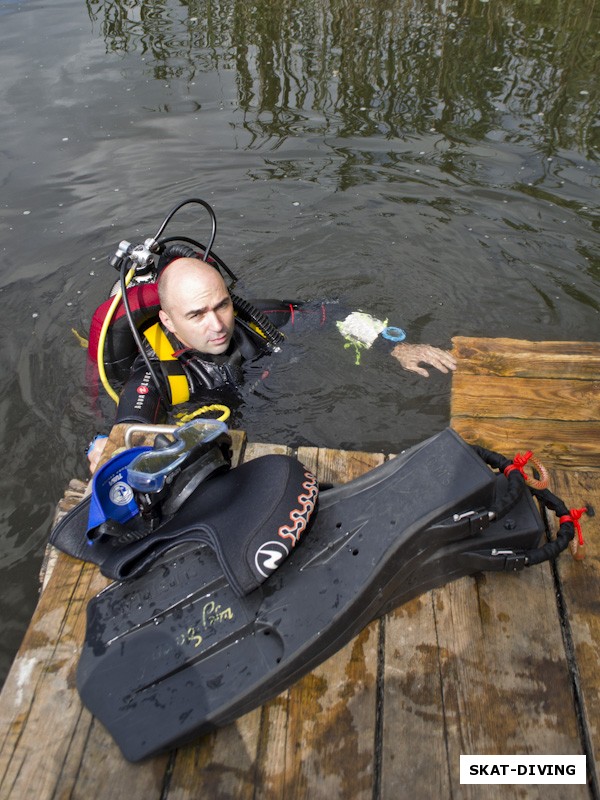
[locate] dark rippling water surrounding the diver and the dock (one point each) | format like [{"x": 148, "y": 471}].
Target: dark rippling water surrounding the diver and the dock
[{"x": 433, "y": 162}]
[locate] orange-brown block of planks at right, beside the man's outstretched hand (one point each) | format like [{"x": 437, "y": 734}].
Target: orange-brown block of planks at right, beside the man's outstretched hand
[{"x": 511, "y": 395}]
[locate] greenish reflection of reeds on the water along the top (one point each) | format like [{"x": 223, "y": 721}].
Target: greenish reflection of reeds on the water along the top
[{"x": 385, "y": 68}]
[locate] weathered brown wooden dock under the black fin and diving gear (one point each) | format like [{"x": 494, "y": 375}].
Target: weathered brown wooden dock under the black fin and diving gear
[{"x": 492, "y": 664}]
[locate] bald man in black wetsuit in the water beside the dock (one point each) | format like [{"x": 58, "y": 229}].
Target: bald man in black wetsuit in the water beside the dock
[{"x": 200, "y": 344}]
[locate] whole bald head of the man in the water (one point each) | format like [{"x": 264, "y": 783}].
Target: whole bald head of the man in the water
[{"x": 196, "y": 306}]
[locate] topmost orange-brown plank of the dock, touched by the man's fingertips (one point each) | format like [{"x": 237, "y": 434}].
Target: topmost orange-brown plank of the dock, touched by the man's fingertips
[{"x": 519, "y": 358}]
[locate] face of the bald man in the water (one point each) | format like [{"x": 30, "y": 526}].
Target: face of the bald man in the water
[{"x": 200, "y": 313}]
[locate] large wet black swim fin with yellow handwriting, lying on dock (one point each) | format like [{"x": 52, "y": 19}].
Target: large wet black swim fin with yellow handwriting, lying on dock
[{"x": 175, "y": 653}]
